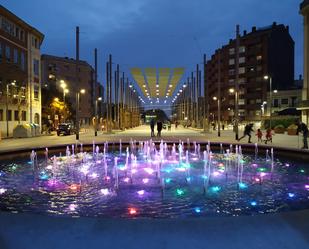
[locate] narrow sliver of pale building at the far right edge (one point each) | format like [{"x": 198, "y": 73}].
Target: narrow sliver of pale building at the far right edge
[{"x": 304, "y": 106}]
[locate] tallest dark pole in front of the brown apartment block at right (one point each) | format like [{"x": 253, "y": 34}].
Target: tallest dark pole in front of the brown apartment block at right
[{"x": 236, "y": 116}]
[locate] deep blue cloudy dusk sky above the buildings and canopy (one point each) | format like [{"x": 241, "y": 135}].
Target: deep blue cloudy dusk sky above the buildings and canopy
[{"x": 153, "y": 33}]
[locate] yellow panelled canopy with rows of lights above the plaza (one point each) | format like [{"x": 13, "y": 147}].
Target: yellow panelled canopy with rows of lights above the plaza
[{"x": 157, "y": 83}]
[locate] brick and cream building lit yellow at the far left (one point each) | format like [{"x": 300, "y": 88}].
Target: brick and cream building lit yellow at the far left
[{"x": 20, "y": 74}]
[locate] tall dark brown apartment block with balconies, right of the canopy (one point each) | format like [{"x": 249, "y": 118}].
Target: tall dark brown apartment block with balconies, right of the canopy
[{"x": 263, "y": 51}]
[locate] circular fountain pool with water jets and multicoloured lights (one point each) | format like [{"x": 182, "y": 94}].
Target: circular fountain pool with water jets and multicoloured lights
[{"x": 156, "y": 180}]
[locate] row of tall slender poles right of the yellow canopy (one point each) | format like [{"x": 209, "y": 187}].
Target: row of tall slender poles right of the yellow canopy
[{"x": 187, "y": 106}]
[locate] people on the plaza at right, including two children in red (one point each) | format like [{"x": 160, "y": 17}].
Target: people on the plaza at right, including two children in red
[{"x": 301, "y": 128}]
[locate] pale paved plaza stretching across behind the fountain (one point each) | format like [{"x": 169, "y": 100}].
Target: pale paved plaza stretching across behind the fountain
[{"x": 142, "y": 133}]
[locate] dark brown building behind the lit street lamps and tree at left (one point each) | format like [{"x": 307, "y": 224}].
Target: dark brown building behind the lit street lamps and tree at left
[{"x": 59, "y": 70}]
